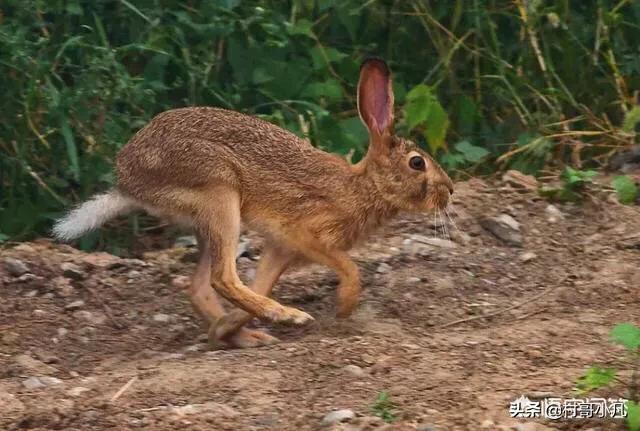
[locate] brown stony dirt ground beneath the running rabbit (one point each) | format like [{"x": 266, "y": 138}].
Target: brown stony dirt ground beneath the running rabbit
[{"x": 95, "y": 342}]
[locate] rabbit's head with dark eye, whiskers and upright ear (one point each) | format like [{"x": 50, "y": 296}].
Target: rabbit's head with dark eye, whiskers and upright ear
[{"x": 404, "y": 175}]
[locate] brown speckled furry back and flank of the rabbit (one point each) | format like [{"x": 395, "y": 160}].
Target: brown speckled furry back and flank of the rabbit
[{"x": 194, "y": 148}]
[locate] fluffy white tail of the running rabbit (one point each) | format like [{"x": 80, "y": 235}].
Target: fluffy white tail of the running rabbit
[{"x": 92, "y": 214}]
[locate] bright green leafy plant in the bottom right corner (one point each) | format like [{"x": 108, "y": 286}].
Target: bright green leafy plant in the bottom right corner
[{"x": 627, "y": 335}]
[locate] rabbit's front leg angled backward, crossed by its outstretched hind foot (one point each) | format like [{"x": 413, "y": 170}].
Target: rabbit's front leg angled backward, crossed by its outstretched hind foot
[{"x": 273, "y": 263}]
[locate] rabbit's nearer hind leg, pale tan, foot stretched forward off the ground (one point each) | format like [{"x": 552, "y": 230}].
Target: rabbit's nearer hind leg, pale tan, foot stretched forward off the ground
[{"x": 219, "y": 223}]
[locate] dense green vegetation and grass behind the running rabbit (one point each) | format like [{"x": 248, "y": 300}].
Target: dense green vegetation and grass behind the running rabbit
[{"x": 483, "y": 84}]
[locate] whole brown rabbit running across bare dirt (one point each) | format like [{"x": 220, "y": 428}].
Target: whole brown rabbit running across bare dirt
[{"x": 212, "y": 169}]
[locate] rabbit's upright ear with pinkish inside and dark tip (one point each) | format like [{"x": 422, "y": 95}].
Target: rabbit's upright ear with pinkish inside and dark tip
[{"x": 375, "y": 97}]
